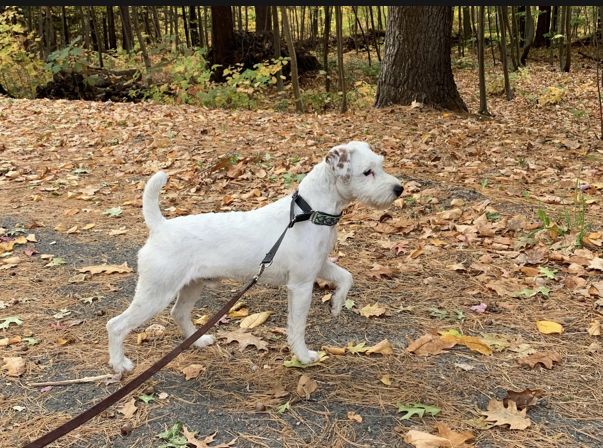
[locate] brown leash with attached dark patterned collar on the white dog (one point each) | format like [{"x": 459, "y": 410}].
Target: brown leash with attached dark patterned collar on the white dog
[{"x": 318, "y": 218}]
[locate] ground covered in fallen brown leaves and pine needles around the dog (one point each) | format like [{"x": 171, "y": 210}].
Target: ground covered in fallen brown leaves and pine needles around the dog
[{"x": 483, "y": 242}]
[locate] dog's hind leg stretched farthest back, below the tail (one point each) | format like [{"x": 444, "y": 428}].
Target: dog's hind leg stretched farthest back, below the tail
[{"x": 150, "y": 299}]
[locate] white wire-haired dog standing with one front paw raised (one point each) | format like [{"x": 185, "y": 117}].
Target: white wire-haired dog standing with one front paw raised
[{"x": 183, "y": 253}]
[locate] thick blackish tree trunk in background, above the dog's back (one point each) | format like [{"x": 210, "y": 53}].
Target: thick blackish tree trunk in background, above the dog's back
[{"x": 222, "y": 39}]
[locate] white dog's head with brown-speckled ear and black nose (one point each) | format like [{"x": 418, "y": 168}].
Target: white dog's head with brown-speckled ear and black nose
[{"x": 359, "y": 175}]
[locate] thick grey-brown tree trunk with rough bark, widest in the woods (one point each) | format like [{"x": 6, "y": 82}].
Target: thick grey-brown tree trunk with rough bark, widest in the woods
[{"x": 416, "y": 64}]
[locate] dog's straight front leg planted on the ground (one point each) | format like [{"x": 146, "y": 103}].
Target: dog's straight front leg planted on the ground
[{"x": 300, "y": 298}]
